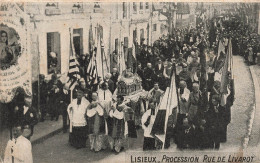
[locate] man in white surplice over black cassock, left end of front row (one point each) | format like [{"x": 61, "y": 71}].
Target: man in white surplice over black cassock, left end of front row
[{"x": 78, "y": 127}]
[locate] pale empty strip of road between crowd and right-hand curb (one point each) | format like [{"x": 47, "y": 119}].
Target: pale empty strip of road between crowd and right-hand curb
[{"x": 243, "y": 105}]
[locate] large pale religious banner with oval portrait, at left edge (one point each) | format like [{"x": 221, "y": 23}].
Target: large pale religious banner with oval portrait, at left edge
[{"x": 14, "y": 52}]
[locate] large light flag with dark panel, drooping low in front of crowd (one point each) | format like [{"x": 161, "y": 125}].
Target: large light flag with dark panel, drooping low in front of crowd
[{"x": 168, "y": 102}]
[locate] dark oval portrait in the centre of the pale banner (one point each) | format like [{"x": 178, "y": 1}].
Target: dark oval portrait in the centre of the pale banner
[{"x": 10, "y": 47}]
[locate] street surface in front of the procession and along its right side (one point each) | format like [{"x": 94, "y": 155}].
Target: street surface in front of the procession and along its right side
[{"x": 57, "y": 149}]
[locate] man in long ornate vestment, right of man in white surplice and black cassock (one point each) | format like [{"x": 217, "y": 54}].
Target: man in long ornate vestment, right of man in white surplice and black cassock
[{"x": 96, "y": 123}]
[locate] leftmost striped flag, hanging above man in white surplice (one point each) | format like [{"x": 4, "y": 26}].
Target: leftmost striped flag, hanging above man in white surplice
[{"x": 73, "y": 73}]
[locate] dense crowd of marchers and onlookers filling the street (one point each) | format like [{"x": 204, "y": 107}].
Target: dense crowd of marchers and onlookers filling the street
[{"x": 199, "y": 122}]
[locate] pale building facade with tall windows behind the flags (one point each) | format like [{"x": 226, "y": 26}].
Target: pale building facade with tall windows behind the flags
[{"x": 119, "y": 25}]
